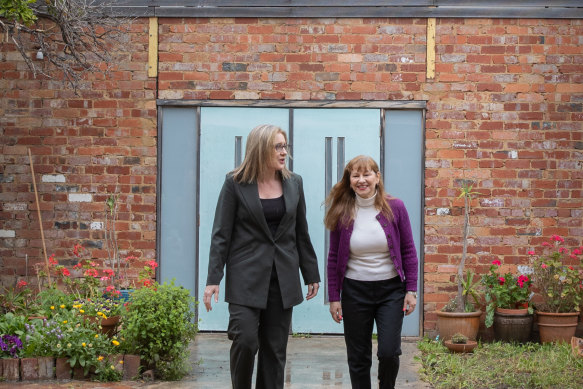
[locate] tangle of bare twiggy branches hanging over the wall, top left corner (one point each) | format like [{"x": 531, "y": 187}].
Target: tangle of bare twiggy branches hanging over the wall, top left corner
[{"x": 64, "y": 39}]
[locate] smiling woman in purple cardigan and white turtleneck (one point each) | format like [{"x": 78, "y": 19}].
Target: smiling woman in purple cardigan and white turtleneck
[{"x": 372, "y": 270}]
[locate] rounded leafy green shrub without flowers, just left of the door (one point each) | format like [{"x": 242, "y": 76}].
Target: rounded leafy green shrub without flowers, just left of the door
[{"x": 158, "y": 324}]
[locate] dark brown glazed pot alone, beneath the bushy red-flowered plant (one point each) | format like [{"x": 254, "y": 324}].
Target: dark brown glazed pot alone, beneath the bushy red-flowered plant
[{"x": 512, "y": 325}]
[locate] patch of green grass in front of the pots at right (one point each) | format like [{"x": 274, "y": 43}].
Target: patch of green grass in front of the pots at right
[{"x": 501, "y": 365}]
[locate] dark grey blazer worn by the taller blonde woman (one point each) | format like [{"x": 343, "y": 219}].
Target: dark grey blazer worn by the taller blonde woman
[{"x": 241, "y": 240}]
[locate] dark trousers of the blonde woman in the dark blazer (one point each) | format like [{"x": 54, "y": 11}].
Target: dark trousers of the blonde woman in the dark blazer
[{"x": 266, "y": 331}]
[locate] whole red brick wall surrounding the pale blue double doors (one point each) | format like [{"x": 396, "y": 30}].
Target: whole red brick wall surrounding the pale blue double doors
[{"x": 505, "y": 110}]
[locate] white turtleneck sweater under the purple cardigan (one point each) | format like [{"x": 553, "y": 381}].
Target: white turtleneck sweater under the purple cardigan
[{"x": 370, "y": 259}]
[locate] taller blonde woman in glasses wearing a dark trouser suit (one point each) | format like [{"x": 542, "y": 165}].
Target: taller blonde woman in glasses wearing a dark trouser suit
[{"x": 260, "y": 234}]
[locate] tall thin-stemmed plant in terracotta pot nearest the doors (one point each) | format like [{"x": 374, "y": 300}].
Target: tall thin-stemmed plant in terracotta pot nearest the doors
[{"x": 460, "y": 315}]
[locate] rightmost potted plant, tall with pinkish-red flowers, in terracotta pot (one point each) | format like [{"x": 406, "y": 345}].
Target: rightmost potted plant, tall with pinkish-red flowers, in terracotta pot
[{"x": 559, "y": 287}]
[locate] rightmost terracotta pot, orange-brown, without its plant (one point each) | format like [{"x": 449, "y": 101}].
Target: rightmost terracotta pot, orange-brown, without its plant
[{"x": 557, "y": 327}]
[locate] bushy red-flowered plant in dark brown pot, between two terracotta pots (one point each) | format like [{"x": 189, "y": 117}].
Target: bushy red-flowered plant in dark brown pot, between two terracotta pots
[{"x": 507, "y": 304}]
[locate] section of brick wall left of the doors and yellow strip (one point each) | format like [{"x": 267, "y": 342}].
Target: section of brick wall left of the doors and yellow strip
[{"x": 84, "y": 148}]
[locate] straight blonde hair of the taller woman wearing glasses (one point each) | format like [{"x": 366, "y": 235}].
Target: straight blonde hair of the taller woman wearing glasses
[{"x": 258, "y": 154}]
